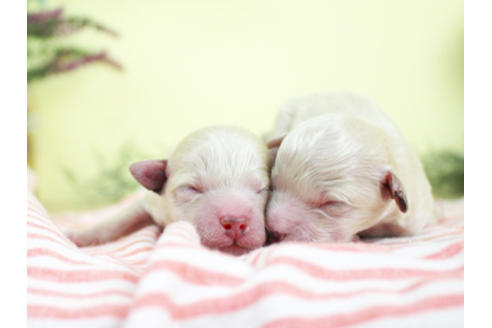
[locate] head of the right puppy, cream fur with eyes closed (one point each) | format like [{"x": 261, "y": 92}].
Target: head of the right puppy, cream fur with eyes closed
[{"x": 331, "y": 180}]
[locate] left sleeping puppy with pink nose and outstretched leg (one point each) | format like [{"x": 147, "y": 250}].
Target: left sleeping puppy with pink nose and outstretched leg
[{"x": 217, "y": 179}]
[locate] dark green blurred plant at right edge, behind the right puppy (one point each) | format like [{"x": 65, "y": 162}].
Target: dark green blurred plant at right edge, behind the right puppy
[{"x": 445, "y": 170}]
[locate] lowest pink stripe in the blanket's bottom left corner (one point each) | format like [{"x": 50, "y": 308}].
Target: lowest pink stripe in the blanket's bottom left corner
[{"x": 40, "y": 311}]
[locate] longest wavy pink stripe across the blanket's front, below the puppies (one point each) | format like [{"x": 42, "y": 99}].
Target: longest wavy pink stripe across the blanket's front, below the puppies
[{"x": 254, "y": 295}]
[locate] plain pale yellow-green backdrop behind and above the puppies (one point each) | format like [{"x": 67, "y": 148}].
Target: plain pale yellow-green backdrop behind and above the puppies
[{"x": 190, "y": 64}]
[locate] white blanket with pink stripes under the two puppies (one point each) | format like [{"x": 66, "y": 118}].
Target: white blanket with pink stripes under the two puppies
[{"x": 149, "y": 279}]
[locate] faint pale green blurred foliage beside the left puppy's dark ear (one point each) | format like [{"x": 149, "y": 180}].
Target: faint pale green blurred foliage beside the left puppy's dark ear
[{"x": 112, "y": 180}]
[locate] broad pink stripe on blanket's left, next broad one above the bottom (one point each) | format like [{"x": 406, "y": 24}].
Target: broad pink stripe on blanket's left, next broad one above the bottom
[{"x": 63, "y": 276}]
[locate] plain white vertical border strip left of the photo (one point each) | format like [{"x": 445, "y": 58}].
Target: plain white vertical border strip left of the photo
[{"x": 13, "y": 164}]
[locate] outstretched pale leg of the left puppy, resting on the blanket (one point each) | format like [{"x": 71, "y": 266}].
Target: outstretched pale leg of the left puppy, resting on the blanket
[{"x": 125, "y": 222}]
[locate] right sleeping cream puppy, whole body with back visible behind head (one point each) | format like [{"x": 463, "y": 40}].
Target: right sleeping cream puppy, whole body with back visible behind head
[{"x": 343, "y": 170}]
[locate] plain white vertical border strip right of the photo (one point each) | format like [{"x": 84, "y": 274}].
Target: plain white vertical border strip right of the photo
[{"x": 478, "y": 165}]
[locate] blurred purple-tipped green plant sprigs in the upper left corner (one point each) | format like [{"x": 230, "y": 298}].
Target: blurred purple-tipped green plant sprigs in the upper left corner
[{"x": 46, "y": 57}]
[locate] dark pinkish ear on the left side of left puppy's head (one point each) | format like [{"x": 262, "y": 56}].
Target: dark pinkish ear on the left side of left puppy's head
[{"x": 150, "y": 174}]
